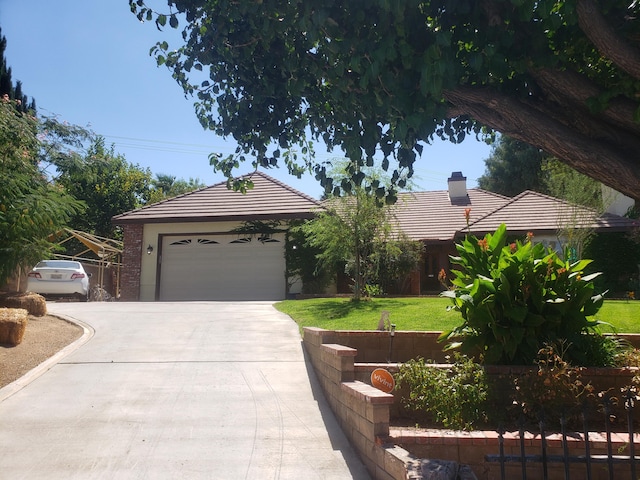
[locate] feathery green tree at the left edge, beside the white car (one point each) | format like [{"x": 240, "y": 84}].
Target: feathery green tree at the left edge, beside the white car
[{"x": 31, "y": 209}]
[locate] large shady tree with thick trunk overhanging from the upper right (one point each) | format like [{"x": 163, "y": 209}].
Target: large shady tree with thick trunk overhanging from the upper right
[{"x": 382, "y": 77}]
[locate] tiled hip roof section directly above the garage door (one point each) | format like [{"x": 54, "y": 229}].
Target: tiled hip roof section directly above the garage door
[{"x": 269, "y": 200}]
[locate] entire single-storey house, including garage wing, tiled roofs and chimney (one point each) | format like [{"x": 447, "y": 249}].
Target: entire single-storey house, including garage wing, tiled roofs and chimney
[{"x": 217, "y": 244}]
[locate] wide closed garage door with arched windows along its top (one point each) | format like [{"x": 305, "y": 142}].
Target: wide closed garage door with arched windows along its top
[{"x": 222, "y": 267}]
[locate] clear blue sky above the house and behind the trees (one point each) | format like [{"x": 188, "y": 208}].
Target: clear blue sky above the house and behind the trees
[{"x": 87, "y": 62}]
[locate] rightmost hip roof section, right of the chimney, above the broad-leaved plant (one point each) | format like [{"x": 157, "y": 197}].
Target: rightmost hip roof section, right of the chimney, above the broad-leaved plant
[{"x": 536, "y": 212}]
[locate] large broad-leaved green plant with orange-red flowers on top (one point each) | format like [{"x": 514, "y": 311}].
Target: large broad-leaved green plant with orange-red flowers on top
[{"x": 514, "y": 298}]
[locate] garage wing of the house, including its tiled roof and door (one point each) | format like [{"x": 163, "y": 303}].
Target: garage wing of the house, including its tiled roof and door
[{"x": 211, "y": 244}]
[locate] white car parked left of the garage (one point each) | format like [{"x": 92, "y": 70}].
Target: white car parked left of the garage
[{"x": 59, "y": 278}]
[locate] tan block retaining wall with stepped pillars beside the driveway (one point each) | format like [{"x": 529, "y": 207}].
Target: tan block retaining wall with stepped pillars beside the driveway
[{"x": 396, "y": 453}]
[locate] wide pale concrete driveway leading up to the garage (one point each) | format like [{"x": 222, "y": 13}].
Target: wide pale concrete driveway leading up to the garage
[{"x": 206, "y": 390}]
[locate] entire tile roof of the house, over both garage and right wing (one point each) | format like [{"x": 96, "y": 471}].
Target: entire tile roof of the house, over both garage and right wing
[{"x": 429, "y": 216}]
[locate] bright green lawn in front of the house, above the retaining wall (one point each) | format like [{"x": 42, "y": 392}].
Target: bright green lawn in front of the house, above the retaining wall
[{"x": 422, "y": 314}]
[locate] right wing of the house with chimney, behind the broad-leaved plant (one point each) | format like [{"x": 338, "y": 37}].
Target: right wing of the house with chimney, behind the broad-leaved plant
[{"x": 439, "y": 219}]
